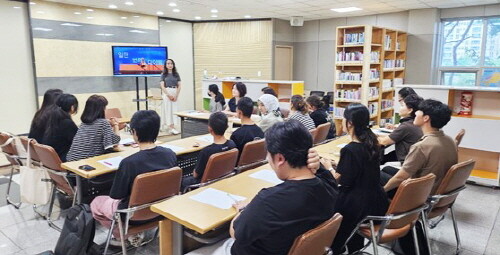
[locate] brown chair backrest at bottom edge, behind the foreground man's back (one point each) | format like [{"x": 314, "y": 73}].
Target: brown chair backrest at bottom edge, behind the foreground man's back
[{"x": 318, "y": 240}]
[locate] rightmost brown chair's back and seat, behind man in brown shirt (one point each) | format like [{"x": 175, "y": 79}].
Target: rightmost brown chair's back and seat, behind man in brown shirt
[{"x": 454, "y": 179}]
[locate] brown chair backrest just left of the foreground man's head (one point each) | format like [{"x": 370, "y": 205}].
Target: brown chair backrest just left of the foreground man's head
[{"x": 253, "y": 155}]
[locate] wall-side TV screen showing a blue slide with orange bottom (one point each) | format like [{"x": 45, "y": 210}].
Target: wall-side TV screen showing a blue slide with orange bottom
[{"x": 138, "y": 60}]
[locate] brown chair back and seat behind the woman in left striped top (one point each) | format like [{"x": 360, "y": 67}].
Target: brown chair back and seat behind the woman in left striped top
[{"x": 51, "y": 160}]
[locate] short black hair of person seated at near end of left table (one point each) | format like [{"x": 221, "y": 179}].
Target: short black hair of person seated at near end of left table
[{"x": 146, "y": 125}]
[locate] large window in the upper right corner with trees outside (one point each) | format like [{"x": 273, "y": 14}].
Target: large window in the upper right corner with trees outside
[{"x": 470, "y": 52}]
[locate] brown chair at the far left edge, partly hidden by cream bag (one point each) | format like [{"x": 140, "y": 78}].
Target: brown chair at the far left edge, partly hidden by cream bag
[{"x": 10, "y": 151}]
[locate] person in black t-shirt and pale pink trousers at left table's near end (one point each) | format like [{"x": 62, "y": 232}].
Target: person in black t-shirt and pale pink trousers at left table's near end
[{"x": 145, "y": 126}]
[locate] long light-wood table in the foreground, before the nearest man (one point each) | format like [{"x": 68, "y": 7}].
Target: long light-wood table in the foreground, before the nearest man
[{"x": 182, "y": 211}]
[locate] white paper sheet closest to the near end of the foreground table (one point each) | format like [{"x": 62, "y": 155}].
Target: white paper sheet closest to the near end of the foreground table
[{"x": 217, "y": 198}]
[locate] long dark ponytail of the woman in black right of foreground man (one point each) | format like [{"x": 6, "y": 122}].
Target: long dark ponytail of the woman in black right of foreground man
[{"x": 359, "y": 117}]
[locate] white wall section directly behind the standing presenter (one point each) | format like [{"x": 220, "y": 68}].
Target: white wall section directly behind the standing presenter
[{"x": 178, "y": 37}]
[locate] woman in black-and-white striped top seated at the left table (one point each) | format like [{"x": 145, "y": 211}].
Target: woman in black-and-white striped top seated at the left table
[{"x": 96, "y": 135}]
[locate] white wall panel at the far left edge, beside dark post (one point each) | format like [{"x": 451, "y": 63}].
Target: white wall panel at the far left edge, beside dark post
[{"x": 18, "y": 101}]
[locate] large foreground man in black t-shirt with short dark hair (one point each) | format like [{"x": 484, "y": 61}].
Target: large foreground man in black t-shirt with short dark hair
[{"x": 277, "y": 215}]
